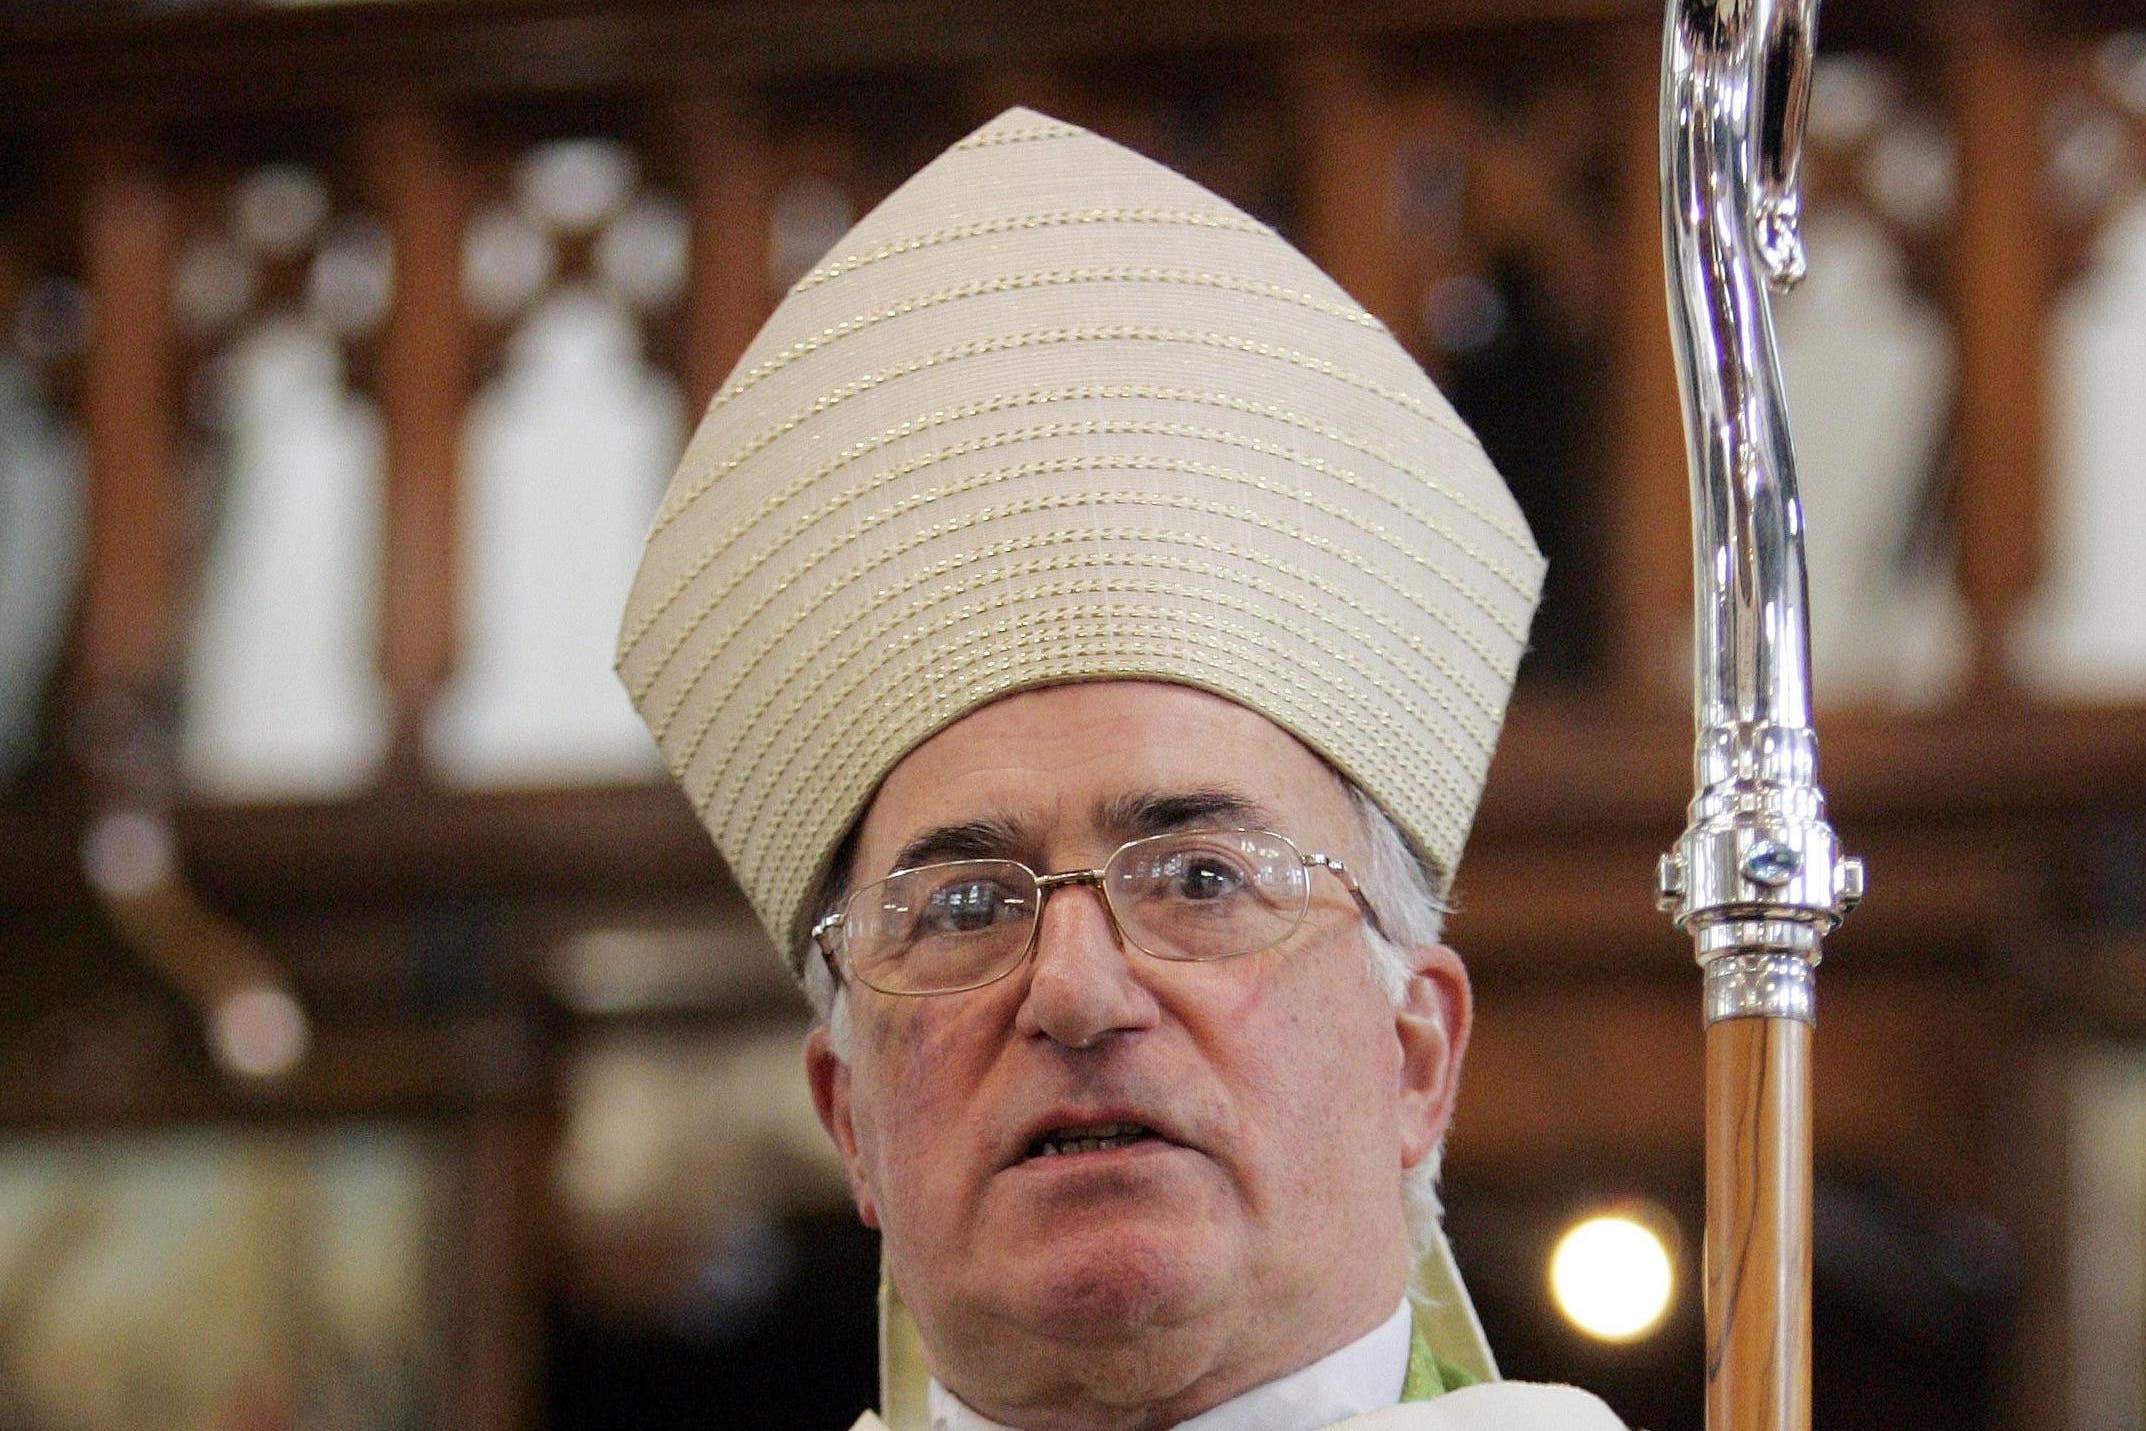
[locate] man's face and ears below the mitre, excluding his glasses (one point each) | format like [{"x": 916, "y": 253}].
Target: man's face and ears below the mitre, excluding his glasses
[{"x": 1261, "y": 1222}]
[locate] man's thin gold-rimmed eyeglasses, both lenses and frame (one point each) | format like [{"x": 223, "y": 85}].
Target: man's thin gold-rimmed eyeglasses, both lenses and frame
[{"x": 1190, "y": 896}]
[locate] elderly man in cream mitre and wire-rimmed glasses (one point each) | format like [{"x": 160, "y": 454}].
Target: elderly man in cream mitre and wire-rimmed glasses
[{"x": 1085, "y": 634}]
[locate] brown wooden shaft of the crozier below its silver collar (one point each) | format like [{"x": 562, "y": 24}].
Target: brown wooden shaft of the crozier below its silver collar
[{"x": 1759, "y": 1226}]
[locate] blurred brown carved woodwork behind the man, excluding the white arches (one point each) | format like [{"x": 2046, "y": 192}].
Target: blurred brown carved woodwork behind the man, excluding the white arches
[{"x": 540, "y": 969}]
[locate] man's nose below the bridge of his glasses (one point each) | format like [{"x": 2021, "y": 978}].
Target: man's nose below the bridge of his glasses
[{"x": 1083, "y": 984}]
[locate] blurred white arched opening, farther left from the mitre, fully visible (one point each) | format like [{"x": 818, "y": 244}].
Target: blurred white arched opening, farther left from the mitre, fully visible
[{"x": 284, "y": 692}]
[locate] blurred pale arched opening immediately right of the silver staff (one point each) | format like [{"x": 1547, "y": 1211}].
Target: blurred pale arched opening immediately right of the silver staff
[{"x": 1870, "y": 370}]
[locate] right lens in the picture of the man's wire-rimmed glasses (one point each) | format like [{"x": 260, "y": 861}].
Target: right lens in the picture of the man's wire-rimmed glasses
[{"x": 1209, "y": 894}]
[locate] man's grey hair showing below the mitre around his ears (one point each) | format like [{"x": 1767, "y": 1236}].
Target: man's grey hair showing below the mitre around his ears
[{"x": 1407, "y": 891}]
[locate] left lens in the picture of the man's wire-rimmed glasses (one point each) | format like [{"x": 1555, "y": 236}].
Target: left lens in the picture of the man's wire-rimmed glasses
[{"x": 941, "y": 928}]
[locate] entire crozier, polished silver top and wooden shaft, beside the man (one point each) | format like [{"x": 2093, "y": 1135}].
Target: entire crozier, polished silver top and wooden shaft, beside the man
[{"x": 1759, "y": 879}]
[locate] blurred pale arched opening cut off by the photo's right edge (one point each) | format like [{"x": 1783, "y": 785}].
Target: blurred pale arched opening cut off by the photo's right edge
[{"x": 2087, "y": 632}]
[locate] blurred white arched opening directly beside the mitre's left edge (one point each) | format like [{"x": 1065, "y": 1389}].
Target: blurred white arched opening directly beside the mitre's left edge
[{"x": 565, "y": 458}]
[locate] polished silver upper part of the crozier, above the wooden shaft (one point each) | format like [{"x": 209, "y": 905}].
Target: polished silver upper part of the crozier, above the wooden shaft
[{"x": 1759, "y": 879}]
